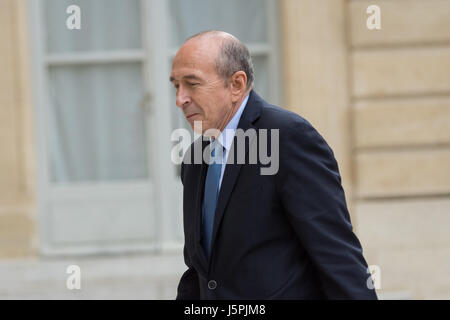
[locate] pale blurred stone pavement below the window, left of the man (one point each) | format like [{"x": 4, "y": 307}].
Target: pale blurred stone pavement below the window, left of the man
[{"x": 136, "y": 276}]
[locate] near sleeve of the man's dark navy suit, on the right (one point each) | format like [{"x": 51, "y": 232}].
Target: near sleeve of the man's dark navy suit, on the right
[{"x": 313, "y": 199}]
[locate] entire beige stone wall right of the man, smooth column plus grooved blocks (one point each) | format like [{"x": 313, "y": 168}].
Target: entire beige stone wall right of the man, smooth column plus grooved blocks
[{"x": 382, "y": 100}]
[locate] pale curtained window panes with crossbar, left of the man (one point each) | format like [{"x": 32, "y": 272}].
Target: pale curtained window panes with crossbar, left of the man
[{"x": 96, "y": 123}]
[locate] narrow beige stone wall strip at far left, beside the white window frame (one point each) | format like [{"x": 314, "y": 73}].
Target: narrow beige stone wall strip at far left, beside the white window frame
[{"x": 17, "y": 200}]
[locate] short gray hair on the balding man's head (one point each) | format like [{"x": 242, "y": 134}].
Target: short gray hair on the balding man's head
[{"x": 233, "y": 56}]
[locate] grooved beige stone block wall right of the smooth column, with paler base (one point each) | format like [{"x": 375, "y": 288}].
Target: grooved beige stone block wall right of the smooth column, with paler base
[{"x": 400, "y": 99}]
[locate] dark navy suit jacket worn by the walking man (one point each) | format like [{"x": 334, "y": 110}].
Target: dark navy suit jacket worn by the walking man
[{"x": 282, "y": 236}]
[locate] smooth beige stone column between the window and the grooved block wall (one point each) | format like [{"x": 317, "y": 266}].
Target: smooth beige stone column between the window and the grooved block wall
[{"x": 316, "y": 73}]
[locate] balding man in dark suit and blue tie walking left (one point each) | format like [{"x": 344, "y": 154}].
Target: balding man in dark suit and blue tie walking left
[{"x": 250, "y": 235}]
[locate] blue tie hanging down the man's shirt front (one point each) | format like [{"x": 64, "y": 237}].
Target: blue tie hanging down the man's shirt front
[{"x": 210, "y": 198}]
